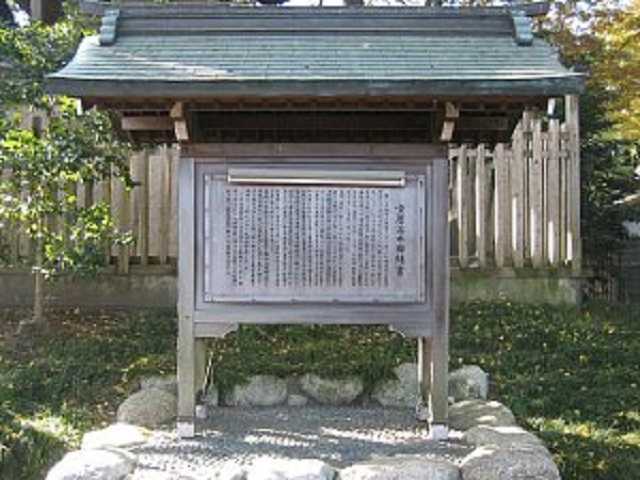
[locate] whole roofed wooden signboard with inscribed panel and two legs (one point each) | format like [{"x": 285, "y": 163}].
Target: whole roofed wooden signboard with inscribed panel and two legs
[{"x": 313, "y": 155}]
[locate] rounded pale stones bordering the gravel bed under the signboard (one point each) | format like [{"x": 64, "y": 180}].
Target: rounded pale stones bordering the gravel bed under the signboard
[{"x": 503, "y": 450}]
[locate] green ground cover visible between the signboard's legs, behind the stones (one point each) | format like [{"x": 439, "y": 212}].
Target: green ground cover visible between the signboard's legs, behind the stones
[{"x": 371, "y": 352}]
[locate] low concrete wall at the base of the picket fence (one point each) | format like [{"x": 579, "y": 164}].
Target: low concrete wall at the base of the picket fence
[{"x": 155, "y": 286}]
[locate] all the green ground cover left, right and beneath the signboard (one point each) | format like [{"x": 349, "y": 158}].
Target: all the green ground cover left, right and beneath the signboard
[{"x": 573, "y": 376}]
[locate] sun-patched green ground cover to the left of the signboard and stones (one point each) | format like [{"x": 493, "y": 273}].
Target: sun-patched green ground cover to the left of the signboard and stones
[{"x": 73, "y": 381}]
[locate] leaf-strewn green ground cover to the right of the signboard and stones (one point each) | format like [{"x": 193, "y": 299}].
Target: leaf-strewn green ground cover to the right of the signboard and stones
[{"x": 570, "y": 375}]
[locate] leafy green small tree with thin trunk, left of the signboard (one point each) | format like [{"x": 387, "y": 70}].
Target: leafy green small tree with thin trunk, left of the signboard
[{"x": 46, "y": 163}]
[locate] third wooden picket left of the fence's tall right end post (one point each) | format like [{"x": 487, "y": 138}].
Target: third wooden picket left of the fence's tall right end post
[{"x": 517, "y": 198}]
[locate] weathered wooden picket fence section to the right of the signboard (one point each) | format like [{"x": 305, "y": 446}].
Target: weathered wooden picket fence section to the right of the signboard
[{"x": 517, "y": 205}]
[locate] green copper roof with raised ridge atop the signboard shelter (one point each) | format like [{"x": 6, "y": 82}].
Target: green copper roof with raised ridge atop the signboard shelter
[{"x": 170, "y": 52}]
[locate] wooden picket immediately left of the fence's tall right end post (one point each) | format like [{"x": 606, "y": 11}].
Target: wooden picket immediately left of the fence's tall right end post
[{"x": 553, "y": 194}]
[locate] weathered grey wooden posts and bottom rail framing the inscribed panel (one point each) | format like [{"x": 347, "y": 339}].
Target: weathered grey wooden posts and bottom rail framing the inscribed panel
[{"x": 432, "y": 323}]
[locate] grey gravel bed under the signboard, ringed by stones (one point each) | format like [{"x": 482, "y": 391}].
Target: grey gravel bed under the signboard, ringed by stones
[{"x": 340, "y": 436}]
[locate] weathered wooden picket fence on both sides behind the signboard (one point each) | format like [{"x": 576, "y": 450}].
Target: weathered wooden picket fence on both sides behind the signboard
[{"x": 514, "y": 205}]
